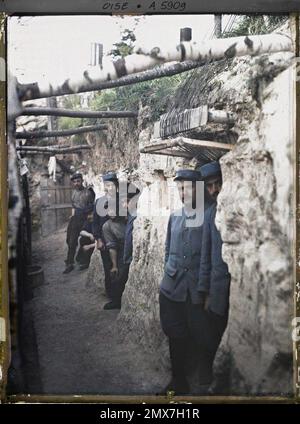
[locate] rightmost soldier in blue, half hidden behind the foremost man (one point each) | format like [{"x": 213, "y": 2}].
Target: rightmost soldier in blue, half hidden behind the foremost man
[{"x": 214, "y": 278}]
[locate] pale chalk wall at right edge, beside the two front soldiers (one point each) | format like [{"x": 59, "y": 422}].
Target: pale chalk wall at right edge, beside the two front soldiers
[{"x": 255, "y": 219}]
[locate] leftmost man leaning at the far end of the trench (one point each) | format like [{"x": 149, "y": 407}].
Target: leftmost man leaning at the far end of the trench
[{"x": 82, "y": 202}]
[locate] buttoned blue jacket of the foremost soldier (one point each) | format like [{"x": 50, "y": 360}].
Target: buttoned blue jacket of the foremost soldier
[{"x": 182, "y": 260}]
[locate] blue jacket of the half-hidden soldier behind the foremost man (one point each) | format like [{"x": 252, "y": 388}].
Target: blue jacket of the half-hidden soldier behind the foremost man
[{"x": 214, "y": 277}]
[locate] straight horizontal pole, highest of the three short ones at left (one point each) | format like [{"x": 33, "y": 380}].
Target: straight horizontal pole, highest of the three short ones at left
[{"x": 39, "y": 111}]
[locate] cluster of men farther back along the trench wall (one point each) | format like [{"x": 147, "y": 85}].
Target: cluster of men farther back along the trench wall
[{"x": 100, "y": 224}]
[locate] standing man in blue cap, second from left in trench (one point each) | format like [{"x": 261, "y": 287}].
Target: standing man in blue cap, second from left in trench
[{"x": 111, "y": 187}]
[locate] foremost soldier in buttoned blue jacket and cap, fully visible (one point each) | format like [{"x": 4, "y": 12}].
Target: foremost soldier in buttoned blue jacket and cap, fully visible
[{"x": 180, "y": 301}]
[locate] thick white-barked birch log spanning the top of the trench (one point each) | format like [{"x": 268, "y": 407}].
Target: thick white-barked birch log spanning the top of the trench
[{"x": 212, "y": 50}]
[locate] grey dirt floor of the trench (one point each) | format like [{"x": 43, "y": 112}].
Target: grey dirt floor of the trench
[{"x": 79, "y": 349}]
